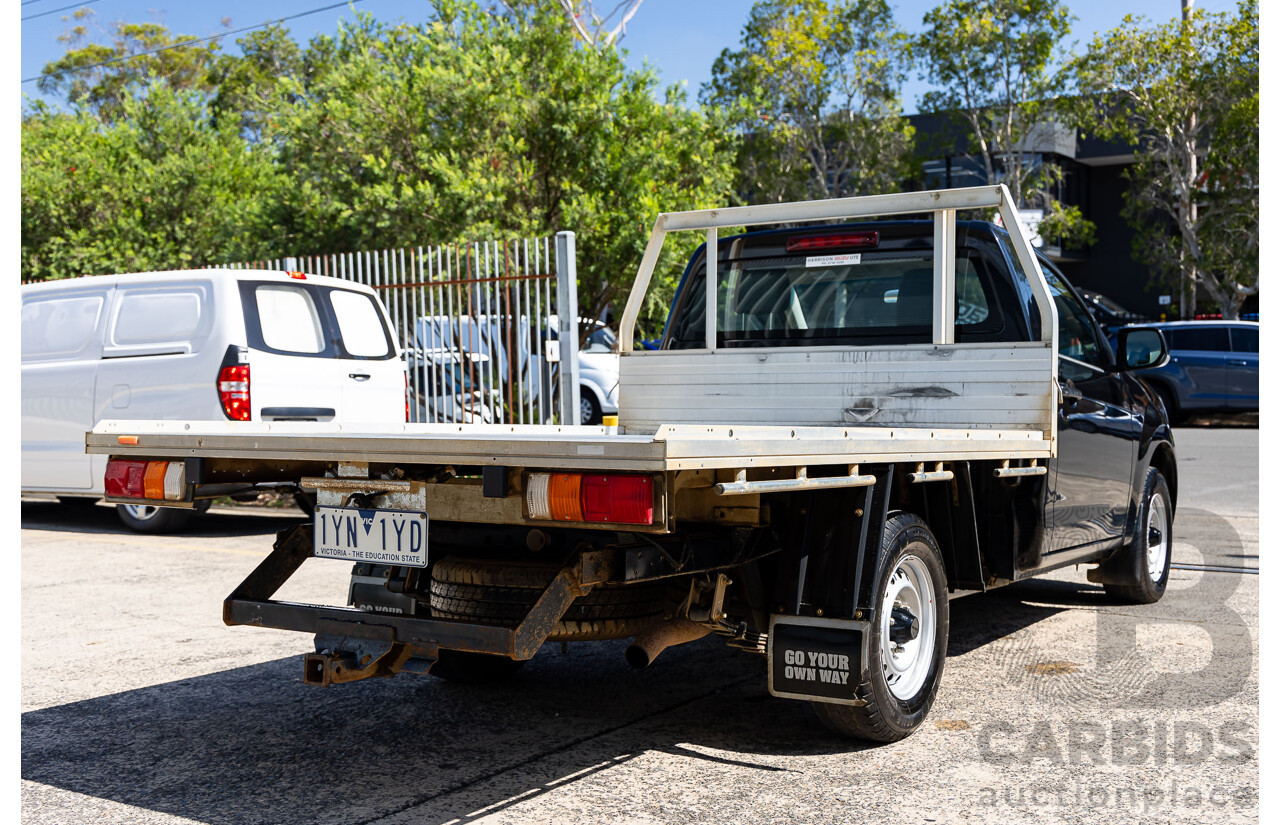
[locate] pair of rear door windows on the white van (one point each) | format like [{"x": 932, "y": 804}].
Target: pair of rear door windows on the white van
[{"x": 317, "y": 322}]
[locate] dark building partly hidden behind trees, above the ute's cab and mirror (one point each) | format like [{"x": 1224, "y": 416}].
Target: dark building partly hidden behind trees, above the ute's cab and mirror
[{"x": 1094, "y": 180}]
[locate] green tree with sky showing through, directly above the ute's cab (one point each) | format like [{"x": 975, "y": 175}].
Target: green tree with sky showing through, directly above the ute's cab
[{"x": 815, "y": 91}]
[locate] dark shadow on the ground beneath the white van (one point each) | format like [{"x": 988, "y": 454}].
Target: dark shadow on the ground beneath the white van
[{"x": 89, "y": 519}]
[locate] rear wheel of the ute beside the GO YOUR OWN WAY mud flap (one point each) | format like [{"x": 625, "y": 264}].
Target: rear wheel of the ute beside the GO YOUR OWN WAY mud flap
[{"x": 903, "y": 676}]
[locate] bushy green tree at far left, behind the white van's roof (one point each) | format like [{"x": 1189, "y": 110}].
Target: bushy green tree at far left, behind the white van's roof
[{"x": 161, "y": 187}]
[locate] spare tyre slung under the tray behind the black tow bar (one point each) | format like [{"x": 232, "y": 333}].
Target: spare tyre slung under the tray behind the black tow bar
[{"x": 497, "y": 592}]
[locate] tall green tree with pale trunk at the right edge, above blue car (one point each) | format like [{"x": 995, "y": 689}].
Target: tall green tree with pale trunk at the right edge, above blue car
[{"x": 1186, "y": 95}]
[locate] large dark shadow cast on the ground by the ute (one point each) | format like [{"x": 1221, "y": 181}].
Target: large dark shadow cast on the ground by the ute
[{"x": 255, "y": 745}]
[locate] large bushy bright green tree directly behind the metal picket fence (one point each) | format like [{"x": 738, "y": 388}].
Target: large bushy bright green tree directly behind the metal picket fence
[{"x": 478, "y": 126}]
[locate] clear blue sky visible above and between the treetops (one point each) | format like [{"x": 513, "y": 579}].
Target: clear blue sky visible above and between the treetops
[{"x": 679, "y": 38}]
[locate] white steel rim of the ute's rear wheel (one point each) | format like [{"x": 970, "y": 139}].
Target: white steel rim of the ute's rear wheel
[{"x": 907, "y": 667}]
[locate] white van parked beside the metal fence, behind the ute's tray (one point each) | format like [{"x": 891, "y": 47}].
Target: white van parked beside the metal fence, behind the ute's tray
[{"x": 195, "y": 346}]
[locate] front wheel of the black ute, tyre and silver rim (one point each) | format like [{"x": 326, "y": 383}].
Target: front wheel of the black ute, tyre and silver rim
[{"x": 1141, "y": 569}]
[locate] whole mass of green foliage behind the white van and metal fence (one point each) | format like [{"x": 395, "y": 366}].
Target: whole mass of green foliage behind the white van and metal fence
[{"x": 474, "y": 125}]
